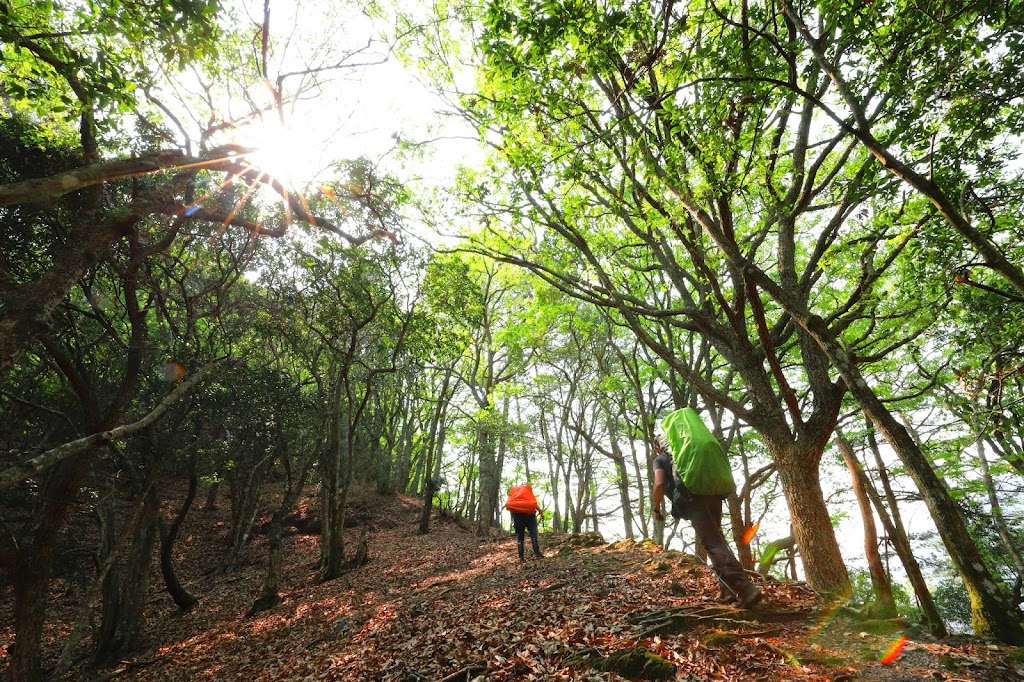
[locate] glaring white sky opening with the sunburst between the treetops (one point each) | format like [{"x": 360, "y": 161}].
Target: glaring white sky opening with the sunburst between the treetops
[{"x": 355, "y": 111}]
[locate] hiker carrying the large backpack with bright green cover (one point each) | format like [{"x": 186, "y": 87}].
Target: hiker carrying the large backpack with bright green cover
[{"x": 693, "y": 472}]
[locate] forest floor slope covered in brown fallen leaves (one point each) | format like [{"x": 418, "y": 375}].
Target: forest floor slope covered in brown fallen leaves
[{"x": 450, "y": 607}]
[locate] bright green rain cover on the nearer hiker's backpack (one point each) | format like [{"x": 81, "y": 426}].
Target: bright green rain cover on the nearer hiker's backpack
[{"x": 698, "y": 455}]
